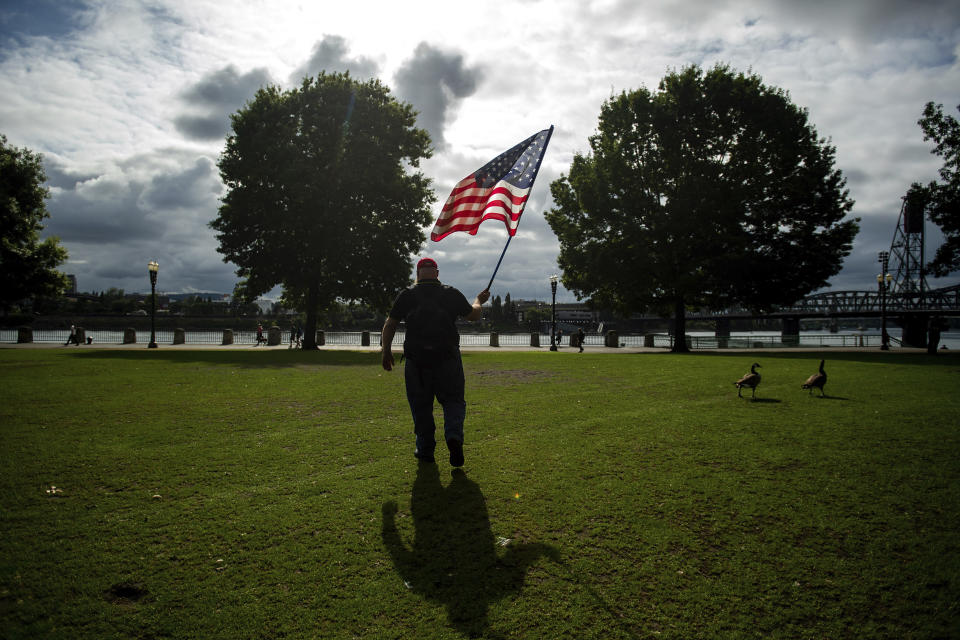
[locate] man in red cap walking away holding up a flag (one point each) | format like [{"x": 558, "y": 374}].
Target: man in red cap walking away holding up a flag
[{"x": 432, "y": 350}]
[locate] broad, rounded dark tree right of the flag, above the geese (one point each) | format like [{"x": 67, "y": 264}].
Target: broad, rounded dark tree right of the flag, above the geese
[{"x": 711, "y": 191}]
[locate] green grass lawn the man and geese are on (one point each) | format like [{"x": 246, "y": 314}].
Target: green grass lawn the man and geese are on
[{"x": 274, "y": 494}]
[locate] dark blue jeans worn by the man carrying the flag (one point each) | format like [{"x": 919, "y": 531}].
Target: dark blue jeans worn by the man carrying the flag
[{"x": 443, "y": 381}]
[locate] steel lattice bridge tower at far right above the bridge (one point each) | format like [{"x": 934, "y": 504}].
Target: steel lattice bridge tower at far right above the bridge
[{"x": 909, "y": 284}]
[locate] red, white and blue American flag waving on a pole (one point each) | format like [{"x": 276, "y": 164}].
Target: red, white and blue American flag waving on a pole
[{"x": 496, "y": 191}]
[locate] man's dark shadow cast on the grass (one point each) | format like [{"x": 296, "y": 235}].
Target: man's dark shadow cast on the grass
[{"x": 453, "y": 559}]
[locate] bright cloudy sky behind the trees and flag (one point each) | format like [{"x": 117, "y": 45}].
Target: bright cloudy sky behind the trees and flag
[{"x": 128, "y": 102}]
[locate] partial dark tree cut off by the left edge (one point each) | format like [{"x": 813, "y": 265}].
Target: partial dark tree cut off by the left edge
[{"x": 27, "y": 263}]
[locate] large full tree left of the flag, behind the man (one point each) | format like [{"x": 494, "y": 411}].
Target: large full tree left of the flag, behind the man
[{"x": 324, "y": 196}]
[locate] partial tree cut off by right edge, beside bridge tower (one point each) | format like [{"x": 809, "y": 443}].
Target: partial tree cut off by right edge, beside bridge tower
[{"x": 943, "y": 198}]
